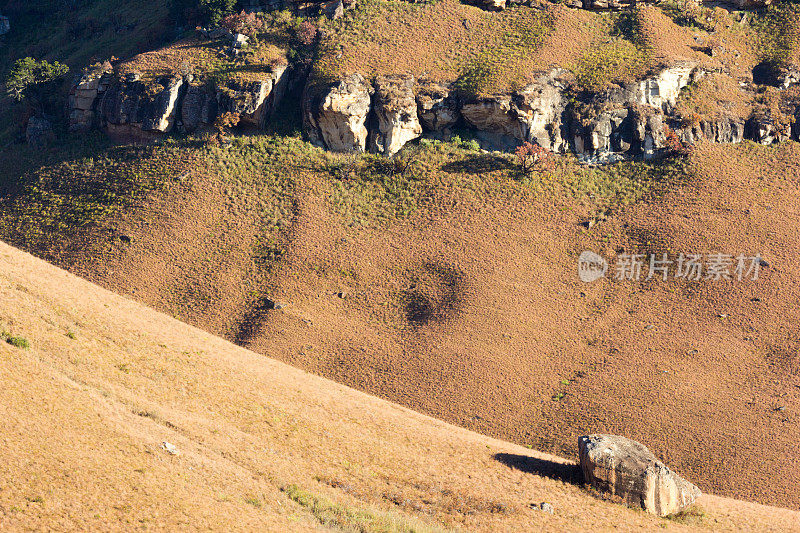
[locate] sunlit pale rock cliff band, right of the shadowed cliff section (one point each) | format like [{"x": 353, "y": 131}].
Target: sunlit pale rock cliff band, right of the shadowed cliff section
[{"x": 631, "y": 121}]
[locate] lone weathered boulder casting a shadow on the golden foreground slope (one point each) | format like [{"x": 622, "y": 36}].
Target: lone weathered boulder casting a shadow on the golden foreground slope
[{"x": 627, "y": 469}]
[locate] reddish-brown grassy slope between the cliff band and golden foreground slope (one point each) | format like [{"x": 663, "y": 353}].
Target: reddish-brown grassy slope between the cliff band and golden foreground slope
[{"x": 451, "y": 288}]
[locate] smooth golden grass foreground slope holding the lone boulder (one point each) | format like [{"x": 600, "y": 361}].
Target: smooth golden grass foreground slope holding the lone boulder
[{"x": 256, "y": 445}]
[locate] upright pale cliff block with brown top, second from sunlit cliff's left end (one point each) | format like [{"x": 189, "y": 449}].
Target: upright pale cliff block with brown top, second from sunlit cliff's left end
[{"x": 395, "y": 112}]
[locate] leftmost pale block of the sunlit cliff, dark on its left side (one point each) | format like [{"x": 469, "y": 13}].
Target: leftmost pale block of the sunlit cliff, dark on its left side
[{"x": 336, "y": 116}]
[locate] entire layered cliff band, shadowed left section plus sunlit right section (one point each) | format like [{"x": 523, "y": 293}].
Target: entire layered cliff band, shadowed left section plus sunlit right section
[{"x": 352, "y": 114}]
